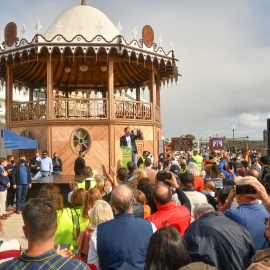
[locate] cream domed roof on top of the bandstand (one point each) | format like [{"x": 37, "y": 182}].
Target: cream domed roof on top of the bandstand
[{"x": 82, "y": 20}]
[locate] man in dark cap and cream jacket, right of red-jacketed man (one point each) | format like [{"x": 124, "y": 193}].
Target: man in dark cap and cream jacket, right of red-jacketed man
[{"x": 195, "y": 197}]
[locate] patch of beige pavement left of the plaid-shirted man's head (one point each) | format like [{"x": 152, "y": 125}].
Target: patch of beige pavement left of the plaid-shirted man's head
[{"x": 13, "y": 229}]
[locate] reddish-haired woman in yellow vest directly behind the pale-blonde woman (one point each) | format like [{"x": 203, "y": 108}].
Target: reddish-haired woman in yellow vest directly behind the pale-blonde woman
[{"x": 92, "y": 195}]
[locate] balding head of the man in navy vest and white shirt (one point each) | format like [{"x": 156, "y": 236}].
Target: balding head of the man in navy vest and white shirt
[{"x": 122, "y": 199}]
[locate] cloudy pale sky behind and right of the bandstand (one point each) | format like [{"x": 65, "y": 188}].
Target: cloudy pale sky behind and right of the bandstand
[{"x": 223, "y": 47}]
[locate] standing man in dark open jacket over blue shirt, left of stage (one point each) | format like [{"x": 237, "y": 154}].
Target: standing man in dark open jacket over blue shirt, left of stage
[{"x": 21, "y": 181}]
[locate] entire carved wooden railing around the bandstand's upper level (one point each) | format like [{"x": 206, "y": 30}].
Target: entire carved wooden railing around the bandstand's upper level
[{"x": 83, "y": 109}]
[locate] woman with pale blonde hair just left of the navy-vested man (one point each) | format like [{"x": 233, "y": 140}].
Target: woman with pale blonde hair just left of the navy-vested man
[{"x": 100, "y": 213}]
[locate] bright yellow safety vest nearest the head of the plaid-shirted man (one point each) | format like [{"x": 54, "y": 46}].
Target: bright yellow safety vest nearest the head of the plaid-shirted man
[{"x": 64, "y": 232}]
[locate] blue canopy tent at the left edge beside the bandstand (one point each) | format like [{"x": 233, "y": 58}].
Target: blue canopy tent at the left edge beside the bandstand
[{"x": 14, "y": 141}]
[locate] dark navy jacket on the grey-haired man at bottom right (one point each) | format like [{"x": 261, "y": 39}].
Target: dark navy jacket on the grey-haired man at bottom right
[{"x": 220, "y": 242}]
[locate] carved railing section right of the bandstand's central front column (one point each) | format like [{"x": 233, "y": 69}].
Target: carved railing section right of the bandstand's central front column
[{"x": 133, "y": 110}]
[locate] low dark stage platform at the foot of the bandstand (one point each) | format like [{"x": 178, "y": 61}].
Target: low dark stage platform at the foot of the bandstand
[{"x": 62, "y": 181}]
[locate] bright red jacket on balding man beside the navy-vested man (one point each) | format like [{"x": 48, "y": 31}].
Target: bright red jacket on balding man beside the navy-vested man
[{"x": 171, "y": 215}]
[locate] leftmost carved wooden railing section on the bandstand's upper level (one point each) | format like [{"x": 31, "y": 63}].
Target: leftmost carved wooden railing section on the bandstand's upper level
[{"x": 32, "y": 110}]
